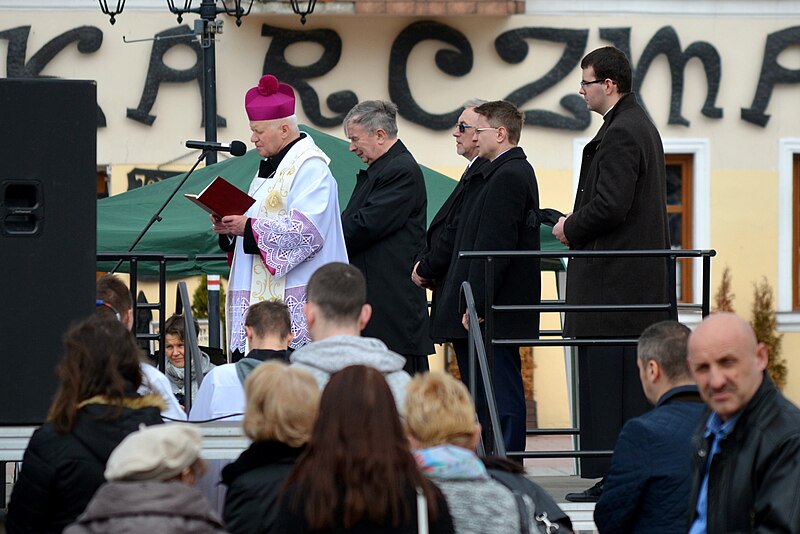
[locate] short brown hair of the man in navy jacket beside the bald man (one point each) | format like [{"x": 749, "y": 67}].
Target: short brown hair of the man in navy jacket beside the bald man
[{"x": 665, "y": 342}]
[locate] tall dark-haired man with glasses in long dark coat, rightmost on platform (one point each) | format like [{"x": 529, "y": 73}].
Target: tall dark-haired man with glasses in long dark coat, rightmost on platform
[{"x": 620, "y": 204}]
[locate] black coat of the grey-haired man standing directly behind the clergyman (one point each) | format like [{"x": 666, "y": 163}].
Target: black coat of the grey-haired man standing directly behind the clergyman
[{"x": 384, "y": 230}]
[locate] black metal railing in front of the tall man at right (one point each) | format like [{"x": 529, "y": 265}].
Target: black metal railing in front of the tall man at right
[{"x": 482, "y": 348}]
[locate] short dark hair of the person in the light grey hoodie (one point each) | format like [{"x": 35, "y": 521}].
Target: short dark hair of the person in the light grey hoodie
[{"x": 339, "y": 291}]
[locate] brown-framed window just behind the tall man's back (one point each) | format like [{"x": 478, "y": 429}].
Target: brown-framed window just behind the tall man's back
[{"x": 679, "y": 216}]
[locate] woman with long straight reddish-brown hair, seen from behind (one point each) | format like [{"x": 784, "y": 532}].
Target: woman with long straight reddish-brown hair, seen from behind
[{"x": 357, "y": 473}]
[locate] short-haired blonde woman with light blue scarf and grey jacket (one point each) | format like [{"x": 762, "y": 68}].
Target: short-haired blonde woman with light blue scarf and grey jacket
[{"x": 441, "y": 426}]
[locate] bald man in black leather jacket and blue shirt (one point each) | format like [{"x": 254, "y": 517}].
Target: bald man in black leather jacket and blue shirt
[{"x": 746, "y": 453}]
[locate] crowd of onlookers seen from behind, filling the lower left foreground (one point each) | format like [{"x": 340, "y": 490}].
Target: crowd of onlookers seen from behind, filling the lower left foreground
[{"x": 331, "y": 449}]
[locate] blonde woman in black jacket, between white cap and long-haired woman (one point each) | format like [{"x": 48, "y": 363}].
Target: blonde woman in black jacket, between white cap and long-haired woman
[{"x": 281, "y": 409}]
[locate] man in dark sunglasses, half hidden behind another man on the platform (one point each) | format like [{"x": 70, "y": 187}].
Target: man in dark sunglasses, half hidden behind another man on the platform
[{"x": 433, "y": 267}]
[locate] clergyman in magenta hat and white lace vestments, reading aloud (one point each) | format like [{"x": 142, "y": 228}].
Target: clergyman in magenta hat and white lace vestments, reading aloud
[{"x": 293, "y": 228}]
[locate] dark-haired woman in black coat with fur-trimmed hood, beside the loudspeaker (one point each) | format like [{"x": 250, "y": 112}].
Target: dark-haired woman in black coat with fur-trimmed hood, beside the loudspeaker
[{"x": 94, "y": 408}]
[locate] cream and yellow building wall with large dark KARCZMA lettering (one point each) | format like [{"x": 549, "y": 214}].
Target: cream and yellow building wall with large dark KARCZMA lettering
[{"x": 430, "y": 65}]
